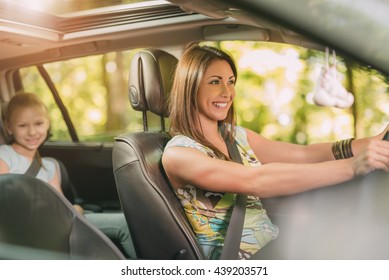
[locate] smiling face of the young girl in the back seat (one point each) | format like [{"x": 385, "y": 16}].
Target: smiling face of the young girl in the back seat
[{"x": 29, "y": 127}]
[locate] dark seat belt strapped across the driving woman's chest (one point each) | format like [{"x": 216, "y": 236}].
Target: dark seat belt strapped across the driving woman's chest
[{"x": 234, "y": 232}]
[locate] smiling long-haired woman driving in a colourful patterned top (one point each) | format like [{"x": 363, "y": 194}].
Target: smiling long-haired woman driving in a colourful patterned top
[{"x": 199, "y": 166}]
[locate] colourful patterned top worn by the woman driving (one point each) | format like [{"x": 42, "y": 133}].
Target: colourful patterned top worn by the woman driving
[{"x": 209, "y": 212}]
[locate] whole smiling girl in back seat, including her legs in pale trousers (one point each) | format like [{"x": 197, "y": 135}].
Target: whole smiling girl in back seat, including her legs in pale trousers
[{"x": 27, "y": 123}]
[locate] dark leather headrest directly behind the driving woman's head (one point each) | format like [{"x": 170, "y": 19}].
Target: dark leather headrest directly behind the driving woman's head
[{"x": 150, "y": 80}]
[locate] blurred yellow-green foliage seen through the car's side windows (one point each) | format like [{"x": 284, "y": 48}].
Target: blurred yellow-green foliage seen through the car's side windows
[{"x": 274, "y": 95}]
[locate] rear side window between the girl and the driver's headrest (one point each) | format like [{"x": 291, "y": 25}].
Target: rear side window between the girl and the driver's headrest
[{"x": 94, "y": 91}]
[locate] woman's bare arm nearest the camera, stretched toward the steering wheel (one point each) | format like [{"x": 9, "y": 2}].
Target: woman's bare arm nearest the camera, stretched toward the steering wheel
[{"x": 189, "y": 166}]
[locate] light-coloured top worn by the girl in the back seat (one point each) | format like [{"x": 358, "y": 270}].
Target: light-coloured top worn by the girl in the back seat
[{"x": 18, "y": 164}]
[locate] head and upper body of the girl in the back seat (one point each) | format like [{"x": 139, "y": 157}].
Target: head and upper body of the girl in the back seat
[{"x": 26, "y": 122}]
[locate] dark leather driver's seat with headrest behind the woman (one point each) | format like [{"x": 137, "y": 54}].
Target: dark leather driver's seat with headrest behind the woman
[{"x": 156, "y": 219}]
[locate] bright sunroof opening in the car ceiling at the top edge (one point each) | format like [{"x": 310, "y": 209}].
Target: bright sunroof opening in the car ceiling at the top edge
[{"x": 60, "y": 7}]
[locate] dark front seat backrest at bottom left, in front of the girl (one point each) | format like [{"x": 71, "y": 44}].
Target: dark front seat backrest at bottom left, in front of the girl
[{"x": 36, "y": 222}]
